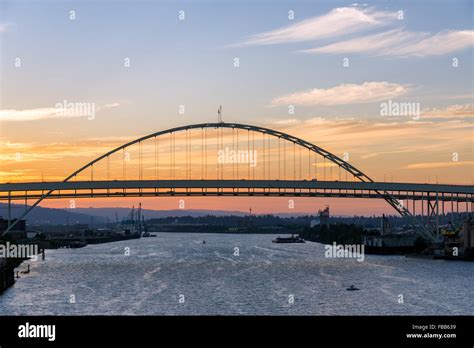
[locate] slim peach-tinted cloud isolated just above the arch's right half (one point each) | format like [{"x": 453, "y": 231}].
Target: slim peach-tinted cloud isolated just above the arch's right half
[{"x": 344, "y": 94}]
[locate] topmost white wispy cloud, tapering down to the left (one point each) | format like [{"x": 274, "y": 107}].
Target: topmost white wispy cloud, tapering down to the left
[{"x": 338, "y": 21}]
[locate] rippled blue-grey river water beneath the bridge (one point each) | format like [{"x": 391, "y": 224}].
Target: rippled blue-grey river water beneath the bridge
[{"x": 175, "y": 274}]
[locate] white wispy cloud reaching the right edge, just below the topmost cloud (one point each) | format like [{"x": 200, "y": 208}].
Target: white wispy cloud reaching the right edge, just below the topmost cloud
[{"x": 403, "y": 43}]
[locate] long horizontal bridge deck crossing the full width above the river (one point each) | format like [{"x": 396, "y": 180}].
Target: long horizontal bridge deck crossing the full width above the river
[{"x": 120, "y": 188}]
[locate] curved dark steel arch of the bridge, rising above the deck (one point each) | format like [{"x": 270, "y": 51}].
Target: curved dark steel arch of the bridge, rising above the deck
[{"x": 298, "y": 141}]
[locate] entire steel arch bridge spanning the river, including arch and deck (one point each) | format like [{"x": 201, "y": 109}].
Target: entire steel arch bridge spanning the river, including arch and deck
[{"x": 233, "y": 159}]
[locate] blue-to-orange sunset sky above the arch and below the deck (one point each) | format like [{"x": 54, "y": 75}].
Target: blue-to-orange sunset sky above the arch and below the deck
[{"x": 334, "y": 63}]
